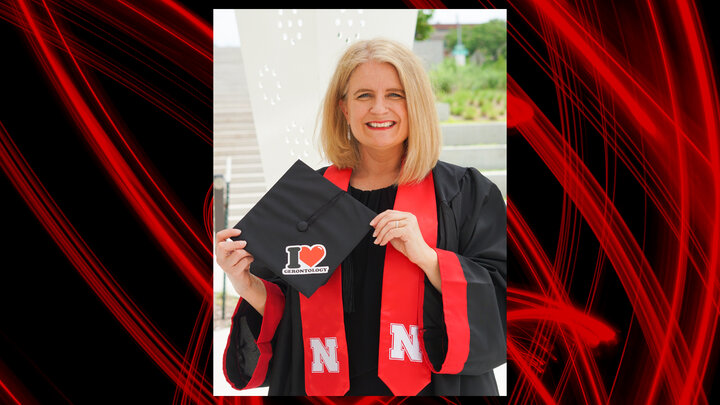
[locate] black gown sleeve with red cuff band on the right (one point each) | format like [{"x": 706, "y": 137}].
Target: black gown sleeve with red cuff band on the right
[{"x": 465, "y": 326}]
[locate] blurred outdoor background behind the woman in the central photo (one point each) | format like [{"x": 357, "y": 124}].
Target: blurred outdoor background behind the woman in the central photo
[{"x": 271, "y": 68}]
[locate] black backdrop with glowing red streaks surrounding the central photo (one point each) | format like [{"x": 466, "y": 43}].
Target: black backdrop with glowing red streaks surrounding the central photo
[{"x": 613, "y": 202}]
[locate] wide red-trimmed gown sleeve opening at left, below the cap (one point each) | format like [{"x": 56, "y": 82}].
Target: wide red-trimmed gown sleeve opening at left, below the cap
[{"x": 249, "y": 349}]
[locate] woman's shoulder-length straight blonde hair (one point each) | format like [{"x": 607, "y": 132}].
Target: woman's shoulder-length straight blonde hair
[{"x": 422, "y": 147}]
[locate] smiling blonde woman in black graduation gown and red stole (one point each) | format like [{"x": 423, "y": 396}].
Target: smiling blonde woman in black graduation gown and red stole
[{"x": 422, "y": 296}]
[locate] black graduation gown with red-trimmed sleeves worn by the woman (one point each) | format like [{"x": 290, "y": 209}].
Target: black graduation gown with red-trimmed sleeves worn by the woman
[{"x": 471, "y": 224}]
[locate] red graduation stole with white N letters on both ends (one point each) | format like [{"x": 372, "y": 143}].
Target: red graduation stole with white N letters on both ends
[{"x": 400, "y": 361}]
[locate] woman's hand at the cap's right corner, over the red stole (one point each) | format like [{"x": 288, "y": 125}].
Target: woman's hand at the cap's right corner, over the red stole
[{"x": 401, "y": 229}]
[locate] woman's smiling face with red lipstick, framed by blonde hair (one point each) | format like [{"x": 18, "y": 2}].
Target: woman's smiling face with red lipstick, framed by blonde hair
[{"x": 375, "y": 107}]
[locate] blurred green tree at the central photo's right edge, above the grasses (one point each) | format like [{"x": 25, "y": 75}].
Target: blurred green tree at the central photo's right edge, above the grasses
[{"x": 489, "y": 38}]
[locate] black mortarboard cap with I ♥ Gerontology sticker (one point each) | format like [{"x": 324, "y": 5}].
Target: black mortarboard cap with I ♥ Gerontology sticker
[{"x": 303, "y": 228}]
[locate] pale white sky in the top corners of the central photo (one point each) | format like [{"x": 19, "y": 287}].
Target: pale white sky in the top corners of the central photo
[{"x": 225, "y": 31}]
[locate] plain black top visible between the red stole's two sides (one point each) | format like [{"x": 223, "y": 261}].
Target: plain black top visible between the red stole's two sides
[{"x": 362, "y": 291}]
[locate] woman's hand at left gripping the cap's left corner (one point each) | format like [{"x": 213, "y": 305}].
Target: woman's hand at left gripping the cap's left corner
[{"x": 234, "y": 259}]
